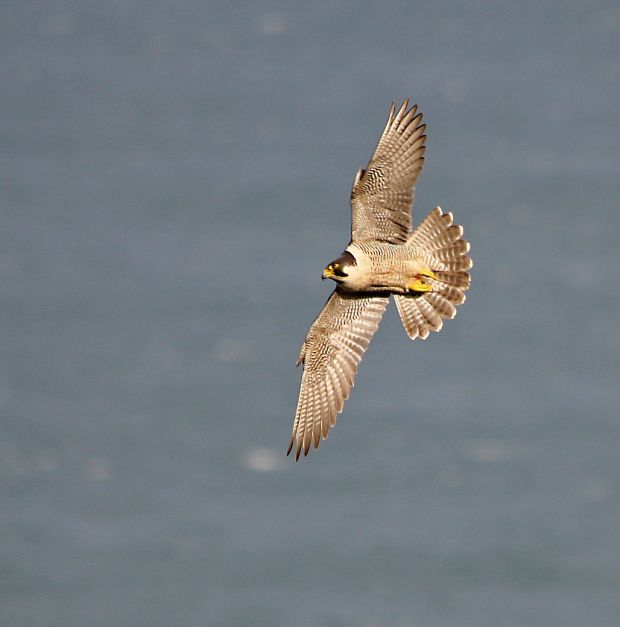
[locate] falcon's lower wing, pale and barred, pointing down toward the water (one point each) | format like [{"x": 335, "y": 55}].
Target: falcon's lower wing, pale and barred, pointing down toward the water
[{"x": 331, "y": 352}]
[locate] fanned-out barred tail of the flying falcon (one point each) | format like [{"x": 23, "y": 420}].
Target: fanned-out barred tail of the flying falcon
[{"x": 443, "y": 243}]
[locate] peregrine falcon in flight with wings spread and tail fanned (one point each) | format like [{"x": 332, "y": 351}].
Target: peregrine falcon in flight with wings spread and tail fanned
[{"x": 426, "y": 270}]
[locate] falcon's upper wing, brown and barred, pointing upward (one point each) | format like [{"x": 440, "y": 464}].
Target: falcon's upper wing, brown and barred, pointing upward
[{"x": 382, "y": 194}]
